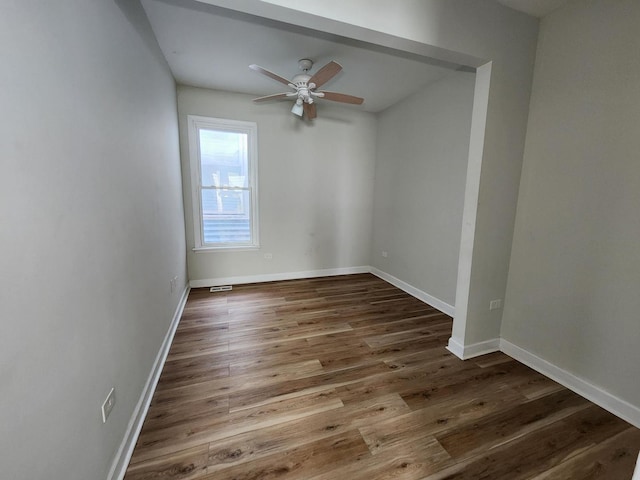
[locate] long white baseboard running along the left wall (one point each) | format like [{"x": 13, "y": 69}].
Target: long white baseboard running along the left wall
[{"x": 121, "y": 460}]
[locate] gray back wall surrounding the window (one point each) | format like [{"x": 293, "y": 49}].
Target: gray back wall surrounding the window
[{"x": 315, "y": 187}]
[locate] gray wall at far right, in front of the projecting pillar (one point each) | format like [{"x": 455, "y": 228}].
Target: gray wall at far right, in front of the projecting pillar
[{"x": 574, "y": 282}]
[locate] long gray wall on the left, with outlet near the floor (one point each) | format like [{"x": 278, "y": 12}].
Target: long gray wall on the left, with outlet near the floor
[{"x": 91, "y": 229}]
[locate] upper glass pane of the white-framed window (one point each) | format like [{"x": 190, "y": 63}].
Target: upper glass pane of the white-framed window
[{"x": 223, "y": 158}]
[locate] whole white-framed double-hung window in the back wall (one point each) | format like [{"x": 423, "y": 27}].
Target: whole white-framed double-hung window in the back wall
[{"x": 223, "y": 159}]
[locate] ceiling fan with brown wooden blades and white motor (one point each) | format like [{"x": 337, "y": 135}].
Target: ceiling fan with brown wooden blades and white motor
[{"x": 305, "y": 87}]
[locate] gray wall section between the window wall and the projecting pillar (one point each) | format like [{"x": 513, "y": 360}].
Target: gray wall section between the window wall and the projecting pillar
[{"x": 422, "y": 151}]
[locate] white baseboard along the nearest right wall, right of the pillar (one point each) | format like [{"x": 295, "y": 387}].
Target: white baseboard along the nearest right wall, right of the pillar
[{"x": 609, "y": 402}]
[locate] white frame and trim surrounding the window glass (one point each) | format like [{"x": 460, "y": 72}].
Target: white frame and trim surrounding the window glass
[{"x": 195, "y": 124}]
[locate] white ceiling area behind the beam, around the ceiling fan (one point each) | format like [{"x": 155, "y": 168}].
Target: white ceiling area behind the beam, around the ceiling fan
[{"x": 211, "y": 47}]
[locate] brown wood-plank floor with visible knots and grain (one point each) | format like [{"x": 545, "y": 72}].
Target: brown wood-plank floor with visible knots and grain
[{"x": 348, "y": 377}]
